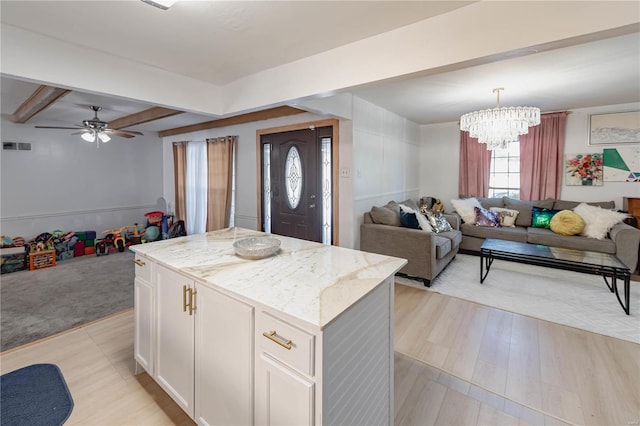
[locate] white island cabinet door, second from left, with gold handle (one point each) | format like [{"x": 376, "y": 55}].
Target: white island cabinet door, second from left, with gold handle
[{"x": 175, "y": 337}]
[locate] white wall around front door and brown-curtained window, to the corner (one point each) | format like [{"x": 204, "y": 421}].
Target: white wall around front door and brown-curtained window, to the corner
[{"x": 379, "y": 161}]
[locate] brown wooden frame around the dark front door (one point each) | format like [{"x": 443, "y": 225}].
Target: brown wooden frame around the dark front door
[{"x": 335, "y": 174}]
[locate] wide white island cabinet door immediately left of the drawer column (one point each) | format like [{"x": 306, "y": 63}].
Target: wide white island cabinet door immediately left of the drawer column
[{"x": 224, "y": 353}]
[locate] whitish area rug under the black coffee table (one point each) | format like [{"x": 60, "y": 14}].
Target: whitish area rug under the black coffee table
[{"x": 570, "y": 298}]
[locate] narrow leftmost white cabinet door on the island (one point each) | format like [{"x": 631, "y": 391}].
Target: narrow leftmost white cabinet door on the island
[{"x": 144, "y": 332}]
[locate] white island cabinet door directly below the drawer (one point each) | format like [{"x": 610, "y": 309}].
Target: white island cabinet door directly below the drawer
[{"x": 283, "y": 396}]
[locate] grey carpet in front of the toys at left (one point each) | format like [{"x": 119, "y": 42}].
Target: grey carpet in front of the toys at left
[{"x": 40, "y": 303}]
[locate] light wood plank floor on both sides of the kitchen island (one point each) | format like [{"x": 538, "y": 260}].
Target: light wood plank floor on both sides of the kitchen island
[{"x": 457, "y": 363}]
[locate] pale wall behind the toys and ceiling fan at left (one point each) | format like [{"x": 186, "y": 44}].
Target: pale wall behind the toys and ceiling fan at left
[{"x": 66, "y": 183}]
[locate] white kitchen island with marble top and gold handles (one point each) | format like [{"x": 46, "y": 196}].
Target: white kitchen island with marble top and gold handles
[{"x": 304, "y": 336}]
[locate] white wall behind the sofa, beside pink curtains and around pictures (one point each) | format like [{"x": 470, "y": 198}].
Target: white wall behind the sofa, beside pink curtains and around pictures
[{"x": 440, "y": 156}]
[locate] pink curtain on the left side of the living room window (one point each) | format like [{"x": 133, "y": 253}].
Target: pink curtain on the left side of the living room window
[{"x": 475, "y": 165}]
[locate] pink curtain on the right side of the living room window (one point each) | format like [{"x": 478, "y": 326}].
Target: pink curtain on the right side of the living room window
[{"x": 541, "y": 158}]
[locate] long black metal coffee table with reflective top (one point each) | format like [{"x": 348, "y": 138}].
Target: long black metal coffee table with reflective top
[{"x": 588, "y": 262}]
